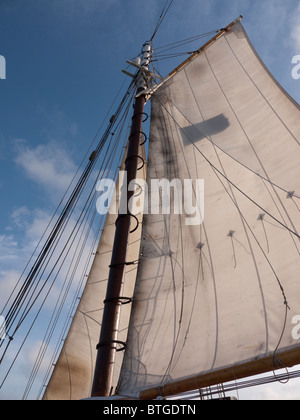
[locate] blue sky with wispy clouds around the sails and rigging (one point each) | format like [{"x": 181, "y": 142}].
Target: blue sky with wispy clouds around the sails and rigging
[{"x": 63, "y": 68}]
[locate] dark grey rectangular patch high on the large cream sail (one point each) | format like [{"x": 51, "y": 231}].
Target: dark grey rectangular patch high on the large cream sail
[{"x": 205, "y": 129}]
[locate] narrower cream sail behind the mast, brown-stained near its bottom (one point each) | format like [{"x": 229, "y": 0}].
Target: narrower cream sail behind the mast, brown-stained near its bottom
[{"x": 74, "y": 371}]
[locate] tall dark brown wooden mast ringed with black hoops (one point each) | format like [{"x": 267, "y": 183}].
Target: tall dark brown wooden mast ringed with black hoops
[{"x": 107, "y": 346}]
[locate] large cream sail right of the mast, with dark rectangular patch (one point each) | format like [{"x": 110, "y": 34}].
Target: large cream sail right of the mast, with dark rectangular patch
[{"x": 224, "y": 293}]
